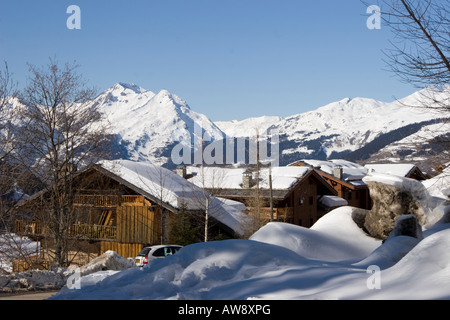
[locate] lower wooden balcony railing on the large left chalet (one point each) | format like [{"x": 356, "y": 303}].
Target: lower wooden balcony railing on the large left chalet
[{"x": 79, "y": 231}]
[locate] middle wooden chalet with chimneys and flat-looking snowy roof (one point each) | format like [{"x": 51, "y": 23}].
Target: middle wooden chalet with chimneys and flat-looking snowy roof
[{"x": 287, "y": 194}]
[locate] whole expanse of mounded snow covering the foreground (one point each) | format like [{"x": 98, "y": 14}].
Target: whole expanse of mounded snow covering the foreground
[{"x": 334, "y": 259}]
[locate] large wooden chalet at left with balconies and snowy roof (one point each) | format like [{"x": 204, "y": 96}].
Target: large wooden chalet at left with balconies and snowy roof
[{"x": 118, "y": 207}]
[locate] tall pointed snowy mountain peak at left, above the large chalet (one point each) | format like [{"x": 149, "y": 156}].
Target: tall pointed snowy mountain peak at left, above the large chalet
[{"x": 149, "y": 124}]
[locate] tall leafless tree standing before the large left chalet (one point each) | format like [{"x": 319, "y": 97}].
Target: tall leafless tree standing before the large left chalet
[{"x": 67, "y": 133}]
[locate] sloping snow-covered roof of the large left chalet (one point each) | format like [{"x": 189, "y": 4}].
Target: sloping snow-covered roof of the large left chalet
[{"x": 174, "y": 190}]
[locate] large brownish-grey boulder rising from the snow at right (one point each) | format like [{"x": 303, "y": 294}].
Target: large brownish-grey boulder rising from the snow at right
[{"x": 389, "y": 203}]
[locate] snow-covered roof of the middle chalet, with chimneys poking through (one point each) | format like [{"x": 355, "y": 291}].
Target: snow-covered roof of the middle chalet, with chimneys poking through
[{"x": 283, "y": 178}]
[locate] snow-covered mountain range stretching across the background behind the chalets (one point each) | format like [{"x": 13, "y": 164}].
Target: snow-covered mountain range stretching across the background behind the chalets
[{"x": 148, "y": 125}]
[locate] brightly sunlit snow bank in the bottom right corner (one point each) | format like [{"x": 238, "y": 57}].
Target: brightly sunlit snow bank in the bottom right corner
[{"x": 422, "y": 274}]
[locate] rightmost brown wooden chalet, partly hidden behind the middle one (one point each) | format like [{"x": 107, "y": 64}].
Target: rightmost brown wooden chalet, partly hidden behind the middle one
[{"x": 345, "y": 177}]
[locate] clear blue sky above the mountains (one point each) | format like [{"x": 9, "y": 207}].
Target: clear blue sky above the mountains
[{"x": 228, "y": 59}]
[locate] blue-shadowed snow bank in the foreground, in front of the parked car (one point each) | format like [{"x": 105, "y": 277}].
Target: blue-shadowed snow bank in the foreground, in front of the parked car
[{"x": 212, "y": 270}]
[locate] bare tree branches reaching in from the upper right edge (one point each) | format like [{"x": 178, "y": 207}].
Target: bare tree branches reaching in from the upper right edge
[{"x": 420, "y": 55}]
